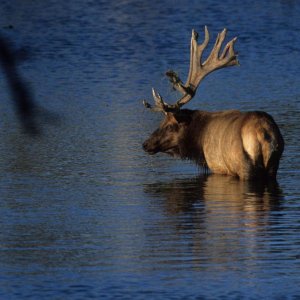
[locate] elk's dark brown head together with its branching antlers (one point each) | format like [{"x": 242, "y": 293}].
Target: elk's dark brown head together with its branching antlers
[{"x": 169, "y": 137}]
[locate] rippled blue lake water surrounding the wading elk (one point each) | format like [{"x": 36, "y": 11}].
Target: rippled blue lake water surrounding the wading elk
[{"x": 85, "y": 213}]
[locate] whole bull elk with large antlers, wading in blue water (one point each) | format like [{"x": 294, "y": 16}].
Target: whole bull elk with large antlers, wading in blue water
[{"x": 244, "y": 144}]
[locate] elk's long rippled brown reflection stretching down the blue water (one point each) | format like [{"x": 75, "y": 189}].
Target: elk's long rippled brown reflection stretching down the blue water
[{"x": 222, "y": 217}]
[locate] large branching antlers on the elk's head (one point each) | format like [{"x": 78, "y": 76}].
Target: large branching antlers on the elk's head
[{"x": 197, "y": 70}]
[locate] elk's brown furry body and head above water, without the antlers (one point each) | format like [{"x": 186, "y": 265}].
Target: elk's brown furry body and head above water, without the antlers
[{"x": 244, "y": 144}]
